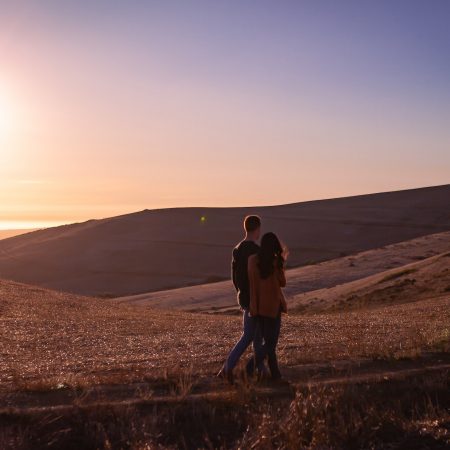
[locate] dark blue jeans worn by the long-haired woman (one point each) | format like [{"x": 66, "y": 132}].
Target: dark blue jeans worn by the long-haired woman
[{"x": 268, "y": 328}]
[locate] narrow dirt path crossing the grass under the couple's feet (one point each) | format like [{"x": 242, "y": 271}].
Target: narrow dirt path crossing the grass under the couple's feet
[{"x": 187, "y": 388}]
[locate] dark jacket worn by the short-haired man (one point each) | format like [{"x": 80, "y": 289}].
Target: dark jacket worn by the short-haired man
[{"x": 239, "y": 270}]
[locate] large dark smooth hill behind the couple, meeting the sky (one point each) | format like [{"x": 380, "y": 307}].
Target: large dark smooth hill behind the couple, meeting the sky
[{"x": 168, "y": 248}]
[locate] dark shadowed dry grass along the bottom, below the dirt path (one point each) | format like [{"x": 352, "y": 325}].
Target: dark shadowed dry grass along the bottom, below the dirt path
[{"x": 412, "y": 413}]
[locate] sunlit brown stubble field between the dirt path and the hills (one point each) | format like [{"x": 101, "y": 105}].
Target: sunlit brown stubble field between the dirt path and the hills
[{"x": 50, "y": 339}]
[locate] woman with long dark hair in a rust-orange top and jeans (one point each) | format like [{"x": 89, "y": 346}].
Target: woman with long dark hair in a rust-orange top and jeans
[{"x": 267, "y": 302}]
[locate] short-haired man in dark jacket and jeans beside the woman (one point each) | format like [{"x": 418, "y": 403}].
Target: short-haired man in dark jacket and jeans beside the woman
[{"x": 239, "y": 274}]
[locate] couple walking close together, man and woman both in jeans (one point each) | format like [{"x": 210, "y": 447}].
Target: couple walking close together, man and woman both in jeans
[{"x": 258, "y": 276}]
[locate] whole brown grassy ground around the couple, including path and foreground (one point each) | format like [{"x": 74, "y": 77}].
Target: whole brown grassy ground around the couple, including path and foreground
[{"x": 80, "y": 372}]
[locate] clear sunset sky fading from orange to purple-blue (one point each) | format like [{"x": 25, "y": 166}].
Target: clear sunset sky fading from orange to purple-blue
[{"x": 109, "y": 107}]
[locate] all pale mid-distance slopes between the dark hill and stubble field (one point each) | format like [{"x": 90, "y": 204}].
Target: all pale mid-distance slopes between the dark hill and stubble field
[{"x": 312, "y": 287}]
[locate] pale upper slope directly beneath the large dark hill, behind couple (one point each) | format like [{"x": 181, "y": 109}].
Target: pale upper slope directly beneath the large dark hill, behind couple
[{"x": 325, "y": 275}]
